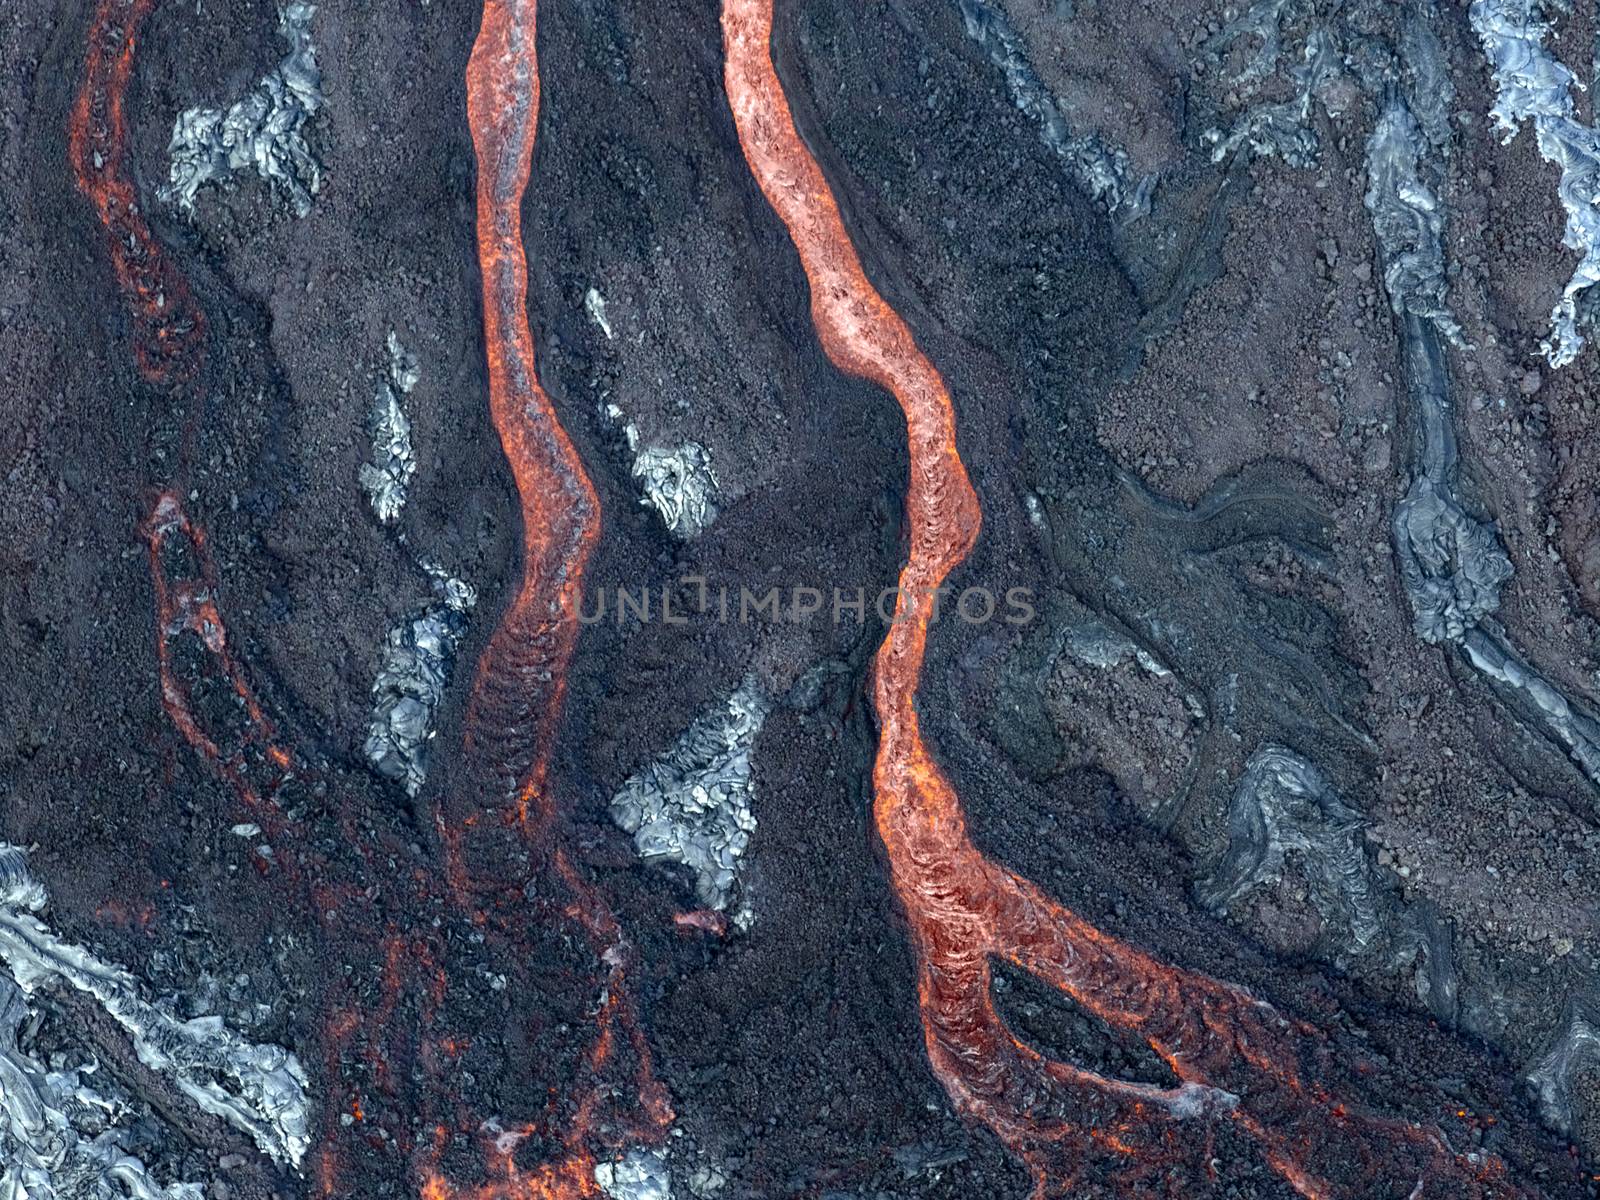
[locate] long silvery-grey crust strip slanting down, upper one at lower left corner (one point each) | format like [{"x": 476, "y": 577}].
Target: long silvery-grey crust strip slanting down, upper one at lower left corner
[{"x": 257, "y": 1089}]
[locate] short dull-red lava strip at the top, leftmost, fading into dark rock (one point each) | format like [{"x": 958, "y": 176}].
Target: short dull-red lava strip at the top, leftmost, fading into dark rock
[{"x": 167, "y": 326}]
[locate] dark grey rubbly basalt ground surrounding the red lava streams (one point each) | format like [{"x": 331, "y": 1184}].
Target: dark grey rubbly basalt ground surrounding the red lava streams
[{"x": 1190, "y": 434}]
